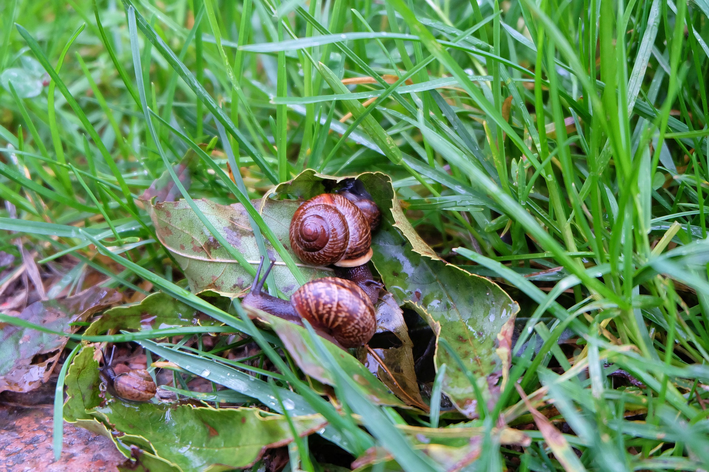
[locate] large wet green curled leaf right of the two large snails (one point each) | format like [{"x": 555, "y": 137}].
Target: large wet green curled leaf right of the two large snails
[{"x": 467, "y": 310}]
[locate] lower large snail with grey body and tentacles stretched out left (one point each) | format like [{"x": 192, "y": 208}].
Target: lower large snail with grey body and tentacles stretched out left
[{"x": 339, "y": 309}]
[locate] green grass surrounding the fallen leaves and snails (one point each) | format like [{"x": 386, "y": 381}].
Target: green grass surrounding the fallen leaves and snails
[{"x": 579, "y": 147}]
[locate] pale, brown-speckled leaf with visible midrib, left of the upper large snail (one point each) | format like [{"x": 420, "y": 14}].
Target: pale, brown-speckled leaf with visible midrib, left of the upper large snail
[{"x": 206, "y": 264}]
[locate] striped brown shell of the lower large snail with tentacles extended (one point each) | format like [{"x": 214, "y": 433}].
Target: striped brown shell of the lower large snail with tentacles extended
[{"x": 338, "y": 305}]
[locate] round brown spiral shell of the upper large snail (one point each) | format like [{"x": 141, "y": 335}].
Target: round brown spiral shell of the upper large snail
[{"x": 328, "y": 229}]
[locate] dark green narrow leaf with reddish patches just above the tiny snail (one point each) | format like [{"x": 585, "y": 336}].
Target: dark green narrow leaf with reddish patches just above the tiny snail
[{"x": 156, "y": 311}]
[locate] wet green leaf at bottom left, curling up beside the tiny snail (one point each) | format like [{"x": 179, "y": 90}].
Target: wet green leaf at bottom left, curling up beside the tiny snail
[{"x": 230, "y": 438}]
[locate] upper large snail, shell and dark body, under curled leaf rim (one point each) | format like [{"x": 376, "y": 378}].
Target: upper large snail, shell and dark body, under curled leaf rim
[{"x": 335, "y": 228}]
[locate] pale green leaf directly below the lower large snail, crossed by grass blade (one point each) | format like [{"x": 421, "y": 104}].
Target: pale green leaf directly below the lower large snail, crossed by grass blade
[{"x": 305, "y": 355}]
